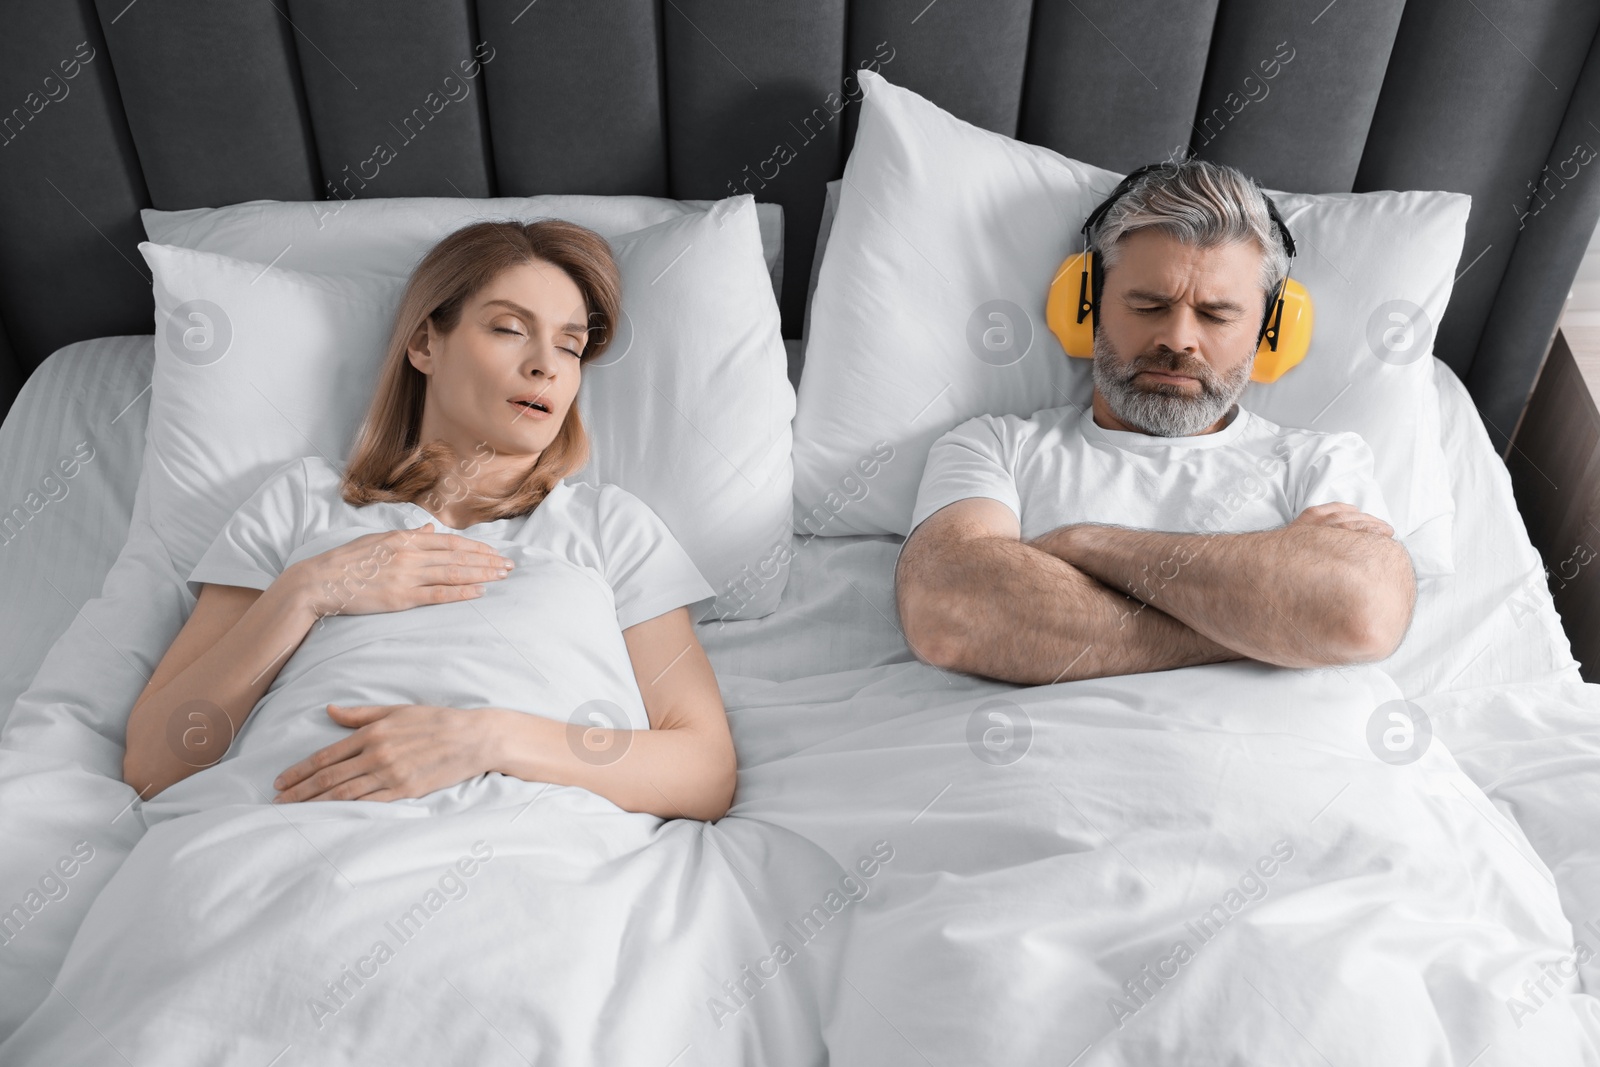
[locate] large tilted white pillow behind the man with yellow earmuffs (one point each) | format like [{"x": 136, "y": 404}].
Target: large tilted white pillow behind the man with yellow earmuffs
[{"x": 940, "y": 225}]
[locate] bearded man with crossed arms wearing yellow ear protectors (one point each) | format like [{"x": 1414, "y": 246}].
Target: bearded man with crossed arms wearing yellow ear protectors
[{"x": 1166, "y": 526}]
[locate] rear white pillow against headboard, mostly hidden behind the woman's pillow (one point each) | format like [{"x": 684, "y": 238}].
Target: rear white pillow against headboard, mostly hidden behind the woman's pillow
[{"x": 390, "y": 236}]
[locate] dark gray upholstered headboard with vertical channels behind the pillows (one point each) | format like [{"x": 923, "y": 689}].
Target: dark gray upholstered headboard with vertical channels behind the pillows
[{"x": 193, "y": 103}]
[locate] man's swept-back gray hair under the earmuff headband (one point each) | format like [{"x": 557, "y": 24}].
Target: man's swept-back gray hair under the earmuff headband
[{"x": 1201, "y": 204}]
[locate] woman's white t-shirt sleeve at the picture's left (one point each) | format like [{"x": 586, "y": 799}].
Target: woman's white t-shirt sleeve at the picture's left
[{"x": 254, "y": 546}]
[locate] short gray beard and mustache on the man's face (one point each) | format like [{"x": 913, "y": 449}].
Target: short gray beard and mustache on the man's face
[{"x": 1164, "y": 409}]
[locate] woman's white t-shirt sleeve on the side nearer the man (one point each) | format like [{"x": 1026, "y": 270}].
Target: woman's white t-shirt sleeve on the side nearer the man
[{"x": 647, "y": 569}]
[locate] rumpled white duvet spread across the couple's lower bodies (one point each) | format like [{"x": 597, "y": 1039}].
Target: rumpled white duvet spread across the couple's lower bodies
[{"x": 1198, "y": 866}]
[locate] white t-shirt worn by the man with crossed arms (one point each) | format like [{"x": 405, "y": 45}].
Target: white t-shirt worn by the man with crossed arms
[{"x": 1060, "y": 468}]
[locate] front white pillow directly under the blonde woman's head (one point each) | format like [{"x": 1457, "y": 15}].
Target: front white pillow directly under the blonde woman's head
[{"x": 689, "y": 410}]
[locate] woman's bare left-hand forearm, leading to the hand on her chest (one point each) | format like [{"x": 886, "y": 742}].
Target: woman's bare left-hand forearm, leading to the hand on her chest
[{"x": 190, "y": 722}]
